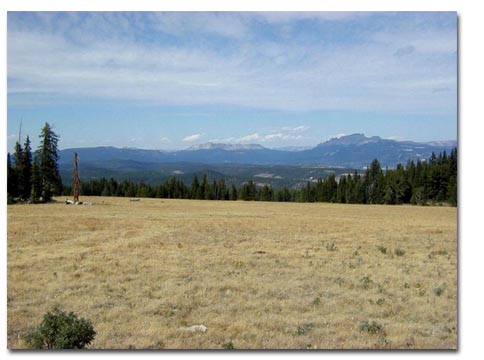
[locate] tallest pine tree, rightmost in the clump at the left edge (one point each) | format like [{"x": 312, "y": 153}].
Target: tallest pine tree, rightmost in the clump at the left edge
[{"x": 49, "y": 172}]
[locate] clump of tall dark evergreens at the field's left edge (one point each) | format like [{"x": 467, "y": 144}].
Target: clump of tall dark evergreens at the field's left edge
[{"x": 34, "y": 177}]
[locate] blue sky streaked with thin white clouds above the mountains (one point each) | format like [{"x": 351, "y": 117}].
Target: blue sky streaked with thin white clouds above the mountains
[{"x": 170, "y": 80}]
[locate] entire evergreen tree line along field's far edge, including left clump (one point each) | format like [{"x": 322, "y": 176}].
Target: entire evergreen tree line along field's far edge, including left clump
[{"x": 34, "y": 177}]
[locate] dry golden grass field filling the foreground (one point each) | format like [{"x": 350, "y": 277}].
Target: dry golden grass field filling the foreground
[{"x": 257, "y": 275}]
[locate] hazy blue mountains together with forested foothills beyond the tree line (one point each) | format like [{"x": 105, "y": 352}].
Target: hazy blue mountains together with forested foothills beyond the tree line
[{"x": 292, "y": 167}]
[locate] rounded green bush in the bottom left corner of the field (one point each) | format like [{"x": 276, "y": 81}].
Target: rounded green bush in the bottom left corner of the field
[{"x": 60, "y": 330}]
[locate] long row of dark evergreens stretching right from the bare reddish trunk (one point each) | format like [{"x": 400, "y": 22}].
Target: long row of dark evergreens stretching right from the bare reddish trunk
[{"x": 423, "y": 182}]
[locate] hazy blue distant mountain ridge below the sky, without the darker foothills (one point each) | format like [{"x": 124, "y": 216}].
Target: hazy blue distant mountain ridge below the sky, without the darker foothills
[{"x": 351, "y": 151}]
